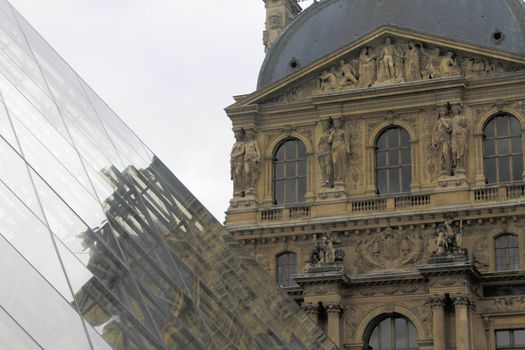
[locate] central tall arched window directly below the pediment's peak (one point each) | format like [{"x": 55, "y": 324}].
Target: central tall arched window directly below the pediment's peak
[{"x": 393, "y": 161}]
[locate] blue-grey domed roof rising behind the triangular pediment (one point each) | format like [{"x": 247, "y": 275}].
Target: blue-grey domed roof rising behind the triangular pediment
[{"x": 331, "y": 24}]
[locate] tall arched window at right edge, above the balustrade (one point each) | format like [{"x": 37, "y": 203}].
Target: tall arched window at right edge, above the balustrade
[{"x": 502, "y": 150}]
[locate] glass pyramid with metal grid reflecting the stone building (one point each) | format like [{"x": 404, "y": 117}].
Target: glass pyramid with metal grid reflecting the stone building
[{"x": 101, "y": 247}]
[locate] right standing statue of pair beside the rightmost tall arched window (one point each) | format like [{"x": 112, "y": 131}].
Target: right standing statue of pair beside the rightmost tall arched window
[{"x": 459, "y": 139}]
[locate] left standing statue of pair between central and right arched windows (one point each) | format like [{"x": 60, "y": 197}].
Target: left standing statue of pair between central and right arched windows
[{"x": 441, "y": 141}]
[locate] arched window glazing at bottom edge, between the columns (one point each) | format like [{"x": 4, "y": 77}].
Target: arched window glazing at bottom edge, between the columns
[{"x": 394, "y": 333}]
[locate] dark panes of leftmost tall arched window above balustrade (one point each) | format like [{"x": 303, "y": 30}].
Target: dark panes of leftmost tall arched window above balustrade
[{"x": 289, "y": 172}]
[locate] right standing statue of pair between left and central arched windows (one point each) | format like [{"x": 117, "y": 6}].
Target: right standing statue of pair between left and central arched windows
[{"x": 340, "y": 151}]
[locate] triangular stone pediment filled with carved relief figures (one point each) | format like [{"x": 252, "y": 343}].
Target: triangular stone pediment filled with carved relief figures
[{"x": 388, "y": 57}]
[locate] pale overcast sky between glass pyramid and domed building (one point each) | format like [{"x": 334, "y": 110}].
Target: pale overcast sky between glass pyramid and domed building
[{"x": 168, "y": 68}]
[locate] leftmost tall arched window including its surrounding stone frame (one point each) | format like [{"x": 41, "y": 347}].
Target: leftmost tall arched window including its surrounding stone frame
[{"x": 282, "y": 177}]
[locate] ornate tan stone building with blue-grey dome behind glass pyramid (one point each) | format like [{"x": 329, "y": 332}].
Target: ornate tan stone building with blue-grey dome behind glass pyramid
[{"x": 378, "y": 171}]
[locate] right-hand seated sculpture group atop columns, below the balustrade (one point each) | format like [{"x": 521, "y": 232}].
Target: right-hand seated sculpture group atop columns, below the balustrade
[{"x": 448, "y": 238}]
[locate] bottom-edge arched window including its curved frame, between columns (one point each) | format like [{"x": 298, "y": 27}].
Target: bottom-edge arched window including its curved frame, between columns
[{"x": 392, "y": 324}]
